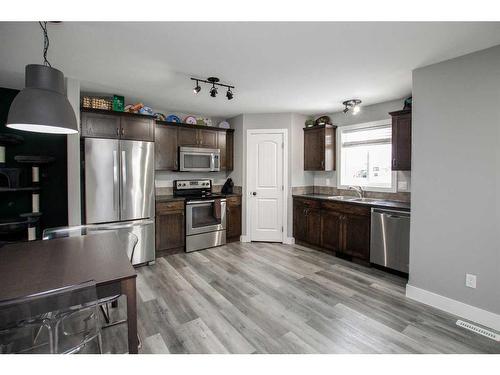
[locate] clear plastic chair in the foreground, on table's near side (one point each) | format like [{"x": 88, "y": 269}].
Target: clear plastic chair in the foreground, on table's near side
[{"x": 24, "y": 321}]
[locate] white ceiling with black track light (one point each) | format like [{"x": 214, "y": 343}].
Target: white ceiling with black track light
[{"x": 276, "y": 67}]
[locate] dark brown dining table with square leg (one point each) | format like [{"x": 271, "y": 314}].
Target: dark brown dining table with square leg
[{"x": 32, "y": 267}]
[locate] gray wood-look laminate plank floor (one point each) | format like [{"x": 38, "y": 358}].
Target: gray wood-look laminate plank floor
[{"x": 273, "y": 298}]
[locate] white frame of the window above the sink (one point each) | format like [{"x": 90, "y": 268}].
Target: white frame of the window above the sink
[{"x": 340, "y": 129}]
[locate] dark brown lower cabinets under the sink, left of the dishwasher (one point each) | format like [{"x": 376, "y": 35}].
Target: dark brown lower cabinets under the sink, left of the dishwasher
[{"x": 335, "y": 227}]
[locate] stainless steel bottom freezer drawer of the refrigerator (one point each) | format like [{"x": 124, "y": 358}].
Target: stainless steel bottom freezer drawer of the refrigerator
[{"x": 145, "y": 232}]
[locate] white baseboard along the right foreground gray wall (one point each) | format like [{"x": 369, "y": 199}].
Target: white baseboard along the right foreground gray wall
[{"x": 472, "y": 313}]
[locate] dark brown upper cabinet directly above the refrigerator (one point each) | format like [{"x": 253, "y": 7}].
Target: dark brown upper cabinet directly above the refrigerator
[{"x": 105, "y": 124}]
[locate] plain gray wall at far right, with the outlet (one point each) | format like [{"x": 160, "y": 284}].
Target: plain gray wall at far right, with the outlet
[{"x": 455, "y": 221}]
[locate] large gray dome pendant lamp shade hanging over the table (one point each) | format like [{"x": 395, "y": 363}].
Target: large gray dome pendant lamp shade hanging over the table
[{"x": 42, "y": 106}]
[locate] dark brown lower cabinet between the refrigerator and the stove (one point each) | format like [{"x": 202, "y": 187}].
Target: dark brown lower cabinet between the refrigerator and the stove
[{"x": 170, "y": 228}]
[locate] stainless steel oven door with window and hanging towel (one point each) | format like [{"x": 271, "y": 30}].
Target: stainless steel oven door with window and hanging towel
[{"x": 205, "y": 216}]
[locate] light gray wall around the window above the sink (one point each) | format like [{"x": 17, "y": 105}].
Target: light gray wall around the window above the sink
[{"x": 374, "y": 112}]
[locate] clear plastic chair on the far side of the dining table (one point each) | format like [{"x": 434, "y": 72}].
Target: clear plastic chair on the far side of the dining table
[{"x": 129, "y": 240}]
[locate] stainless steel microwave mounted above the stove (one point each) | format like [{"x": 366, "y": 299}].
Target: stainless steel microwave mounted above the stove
[{"x": 198, "y": 159}]
